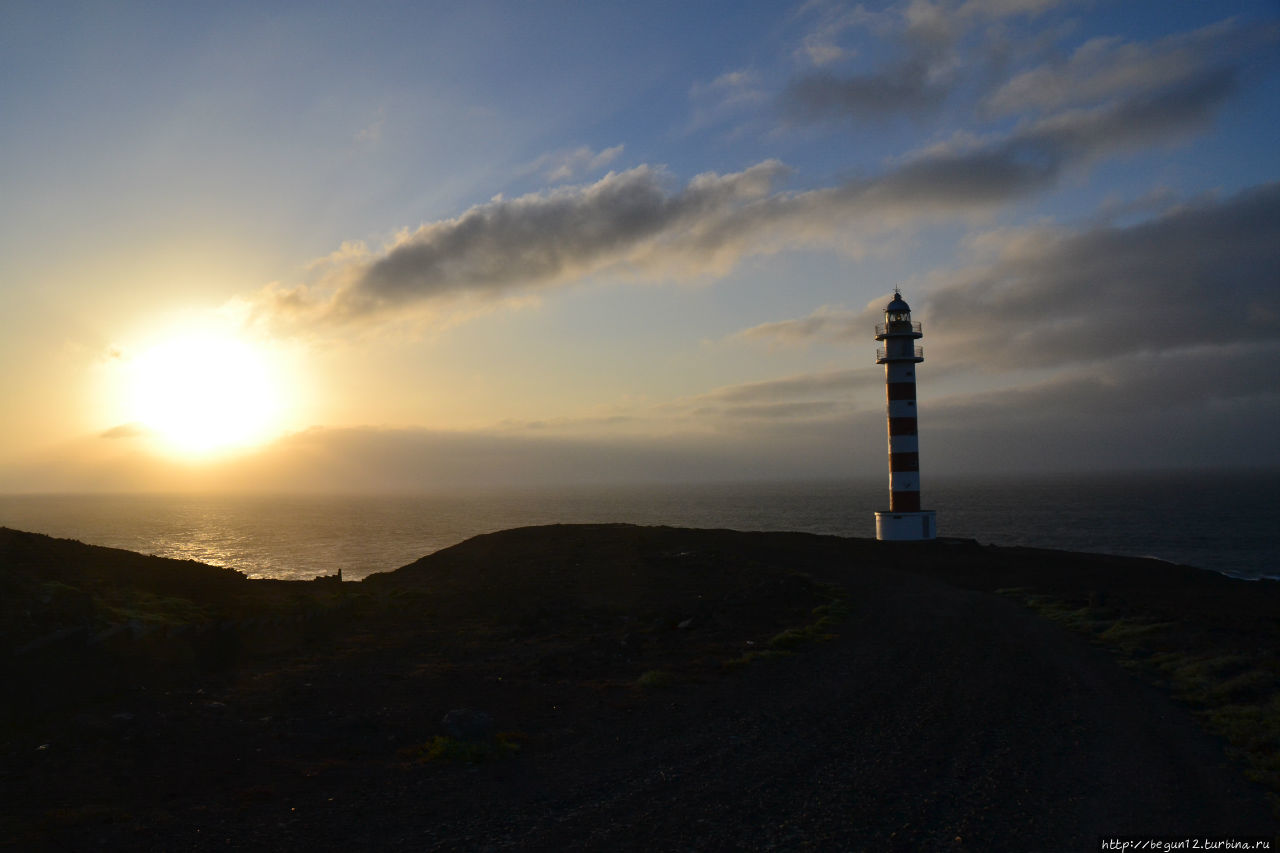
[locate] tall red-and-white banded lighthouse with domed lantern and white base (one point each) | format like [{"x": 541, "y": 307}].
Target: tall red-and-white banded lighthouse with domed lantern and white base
[{"x": 906, "y": 521}]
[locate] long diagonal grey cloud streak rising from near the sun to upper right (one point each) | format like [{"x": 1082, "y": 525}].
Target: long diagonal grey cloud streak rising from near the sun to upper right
[{"x": 637, "y": 222}]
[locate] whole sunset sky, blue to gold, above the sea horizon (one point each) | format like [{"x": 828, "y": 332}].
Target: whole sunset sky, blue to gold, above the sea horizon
[{"x": 399, "y": 247}]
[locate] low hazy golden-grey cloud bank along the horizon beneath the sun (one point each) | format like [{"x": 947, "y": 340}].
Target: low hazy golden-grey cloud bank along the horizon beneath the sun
[{"x": 369, "y": 460}]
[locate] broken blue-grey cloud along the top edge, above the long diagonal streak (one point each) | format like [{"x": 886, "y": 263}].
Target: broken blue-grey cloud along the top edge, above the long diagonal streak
[{"x": 941, "y": 54}]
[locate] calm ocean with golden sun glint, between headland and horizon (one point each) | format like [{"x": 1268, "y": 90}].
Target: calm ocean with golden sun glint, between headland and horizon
[{"x": 1223, "y": 522}]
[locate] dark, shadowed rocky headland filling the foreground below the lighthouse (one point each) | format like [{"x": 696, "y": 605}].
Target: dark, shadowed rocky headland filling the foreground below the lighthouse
[{"x": 625, "y": 688}]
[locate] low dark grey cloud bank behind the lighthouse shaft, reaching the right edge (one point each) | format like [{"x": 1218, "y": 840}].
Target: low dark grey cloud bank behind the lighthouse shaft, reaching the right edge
[{"x": 1188, "y": 409}]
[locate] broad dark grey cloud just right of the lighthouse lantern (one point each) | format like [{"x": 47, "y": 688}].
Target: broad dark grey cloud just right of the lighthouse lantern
[{"x": 1204, "y": 275}]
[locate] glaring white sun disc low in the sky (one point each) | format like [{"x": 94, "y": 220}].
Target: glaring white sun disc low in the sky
[{"x": 205, "y": 393}]
